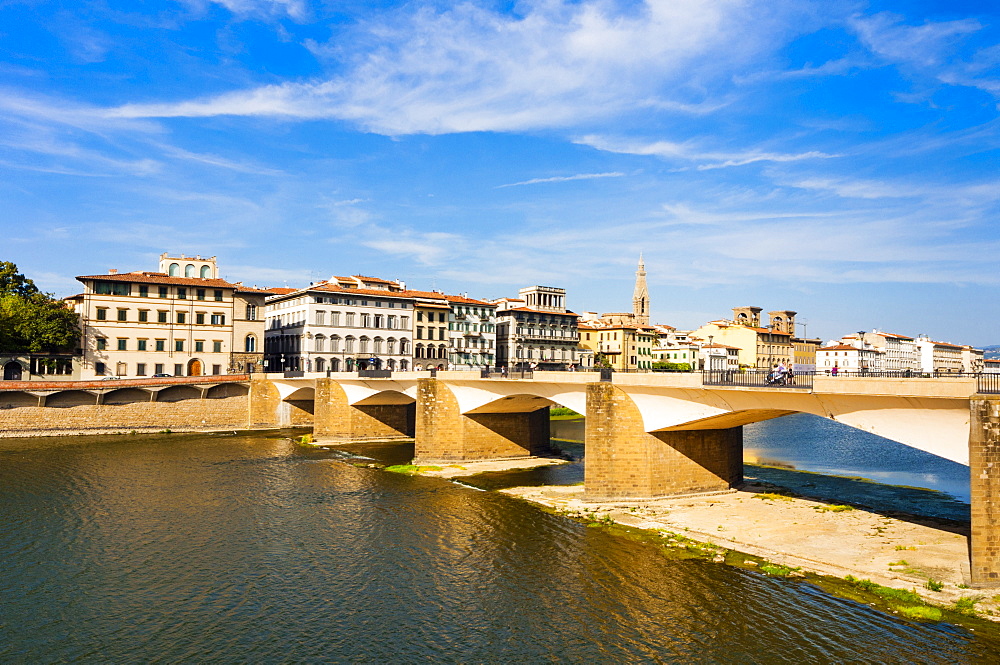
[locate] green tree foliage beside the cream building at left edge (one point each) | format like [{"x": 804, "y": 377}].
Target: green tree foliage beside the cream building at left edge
[{"x": 32, "y": 321}]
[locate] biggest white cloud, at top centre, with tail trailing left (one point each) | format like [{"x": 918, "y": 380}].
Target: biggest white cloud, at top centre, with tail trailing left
[{"x": 556, "y": 64}]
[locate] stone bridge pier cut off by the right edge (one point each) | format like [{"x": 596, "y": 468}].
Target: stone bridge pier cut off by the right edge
[{"x": 984, "y": 476}]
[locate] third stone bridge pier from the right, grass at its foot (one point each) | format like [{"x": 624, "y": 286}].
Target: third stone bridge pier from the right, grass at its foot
[{"x": 445, "y": 434}]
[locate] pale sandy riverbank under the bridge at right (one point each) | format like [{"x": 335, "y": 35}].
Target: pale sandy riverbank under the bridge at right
[{"x": 926, "y": 556}]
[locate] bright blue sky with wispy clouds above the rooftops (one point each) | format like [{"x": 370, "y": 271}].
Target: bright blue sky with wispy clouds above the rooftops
[{"x": 835, "y": 158}]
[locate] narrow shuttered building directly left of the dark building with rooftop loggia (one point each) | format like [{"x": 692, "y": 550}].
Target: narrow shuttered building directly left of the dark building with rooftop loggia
[{"x": 472, "y": 331}]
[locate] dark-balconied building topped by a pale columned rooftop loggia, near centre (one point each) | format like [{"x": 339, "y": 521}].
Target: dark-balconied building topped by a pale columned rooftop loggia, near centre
[{"x": 536, "y": 330}]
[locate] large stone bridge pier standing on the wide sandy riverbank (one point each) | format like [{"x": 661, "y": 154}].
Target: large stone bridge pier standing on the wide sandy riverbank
[{"x": 626, "y": 462}]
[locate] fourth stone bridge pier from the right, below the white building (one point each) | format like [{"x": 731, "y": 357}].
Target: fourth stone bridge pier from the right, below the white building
[{"x": 335, "y": 418}]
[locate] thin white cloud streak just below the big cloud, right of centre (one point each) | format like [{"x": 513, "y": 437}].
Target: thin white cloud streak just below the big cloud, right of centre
[{"x": 691, "y": 153}]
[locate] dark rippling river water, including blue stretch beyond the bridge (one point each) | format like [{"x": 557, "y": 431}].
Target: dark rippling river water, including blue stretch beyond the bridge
[{"x": 251, "y": 549}]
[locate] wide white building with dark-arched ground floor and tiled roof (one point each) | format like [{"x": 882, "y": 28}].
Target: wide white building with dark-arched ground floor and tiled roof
[{"x": 342, "y": 324}]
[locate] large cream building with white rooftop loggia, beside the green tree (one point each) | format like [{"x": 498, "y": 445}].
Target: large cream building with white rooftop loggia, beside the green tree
[{"x": 182, "y": 320}]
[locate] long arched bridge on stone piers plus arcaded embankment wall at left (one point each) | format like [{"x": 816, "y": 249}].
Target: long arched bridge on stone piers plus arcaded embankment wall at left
[{"x": 647, "y": 435}]
